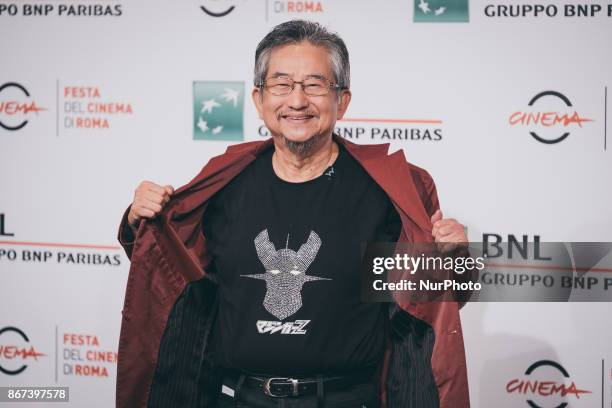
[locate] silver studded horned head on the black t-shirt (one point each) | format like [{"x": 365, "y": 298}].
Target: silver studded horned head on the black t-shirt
[{"x": 285, "y": 273}]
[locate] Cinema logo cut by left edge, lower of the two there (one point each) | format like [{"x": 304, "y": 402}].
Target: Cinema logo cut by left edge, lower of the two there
[{"x": 16, "y": 352}]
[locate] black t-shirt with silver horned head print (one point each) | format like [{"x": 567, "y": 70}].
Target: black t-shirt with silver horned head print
[{"x": 287, "y": 258}]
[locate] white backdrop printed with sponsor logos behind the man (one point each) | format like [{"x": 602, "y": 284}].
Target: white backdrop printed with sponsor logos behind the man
[{"x": 64, "y": 188}]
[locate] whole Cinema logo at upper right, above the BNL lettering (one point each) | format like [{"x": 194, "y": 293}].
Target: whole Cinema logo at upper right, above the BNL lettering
[{"x": 549, "y": 118}]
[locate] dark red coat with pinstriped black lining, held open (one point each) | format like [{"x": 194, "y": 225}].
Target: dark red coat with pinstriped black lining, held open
[{"x": 170, "y": 300}]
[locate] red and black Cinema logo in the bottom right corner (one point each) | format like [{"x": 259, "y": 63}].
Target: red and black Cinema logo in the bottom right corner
[{"x": 545, "y": 382}]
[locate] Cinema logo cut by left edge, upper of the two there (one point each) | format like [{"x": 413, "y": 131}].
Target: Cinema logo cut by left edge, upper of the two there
[{"x": 17, "y": 106}]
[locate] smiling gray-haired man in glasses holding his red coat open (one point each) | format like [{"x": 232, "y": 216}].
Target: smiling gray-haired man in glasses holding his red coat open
[{"x": 244, "y": 284}]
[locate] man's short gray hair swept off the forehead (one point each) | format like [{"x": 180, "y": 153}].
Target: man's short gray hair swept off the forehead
[{"x": 297, "y": 31}]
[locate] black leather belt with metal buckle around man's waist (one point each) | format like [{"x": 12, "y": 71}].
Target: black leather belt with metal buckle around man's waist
[{"x": 295, "y": 386}]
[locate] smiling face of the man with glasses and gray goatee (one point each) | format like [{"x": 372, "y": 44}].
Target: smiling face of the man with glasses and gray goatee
[{"x": 298, "y": 117}]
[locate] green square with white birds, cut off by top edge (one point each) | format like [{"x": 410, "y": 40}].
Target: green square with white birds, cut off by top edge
[{"x": 441, "y": 11}]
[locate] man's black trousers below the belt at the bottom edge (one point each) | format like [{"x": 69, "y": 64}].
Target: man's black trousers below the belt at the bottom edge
[{"x": 356, "y": 396}]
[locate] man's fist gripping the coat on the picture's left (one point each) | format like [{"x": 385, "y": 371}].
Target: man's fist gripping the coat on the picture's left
[{"x": 149, "y": 199}]
